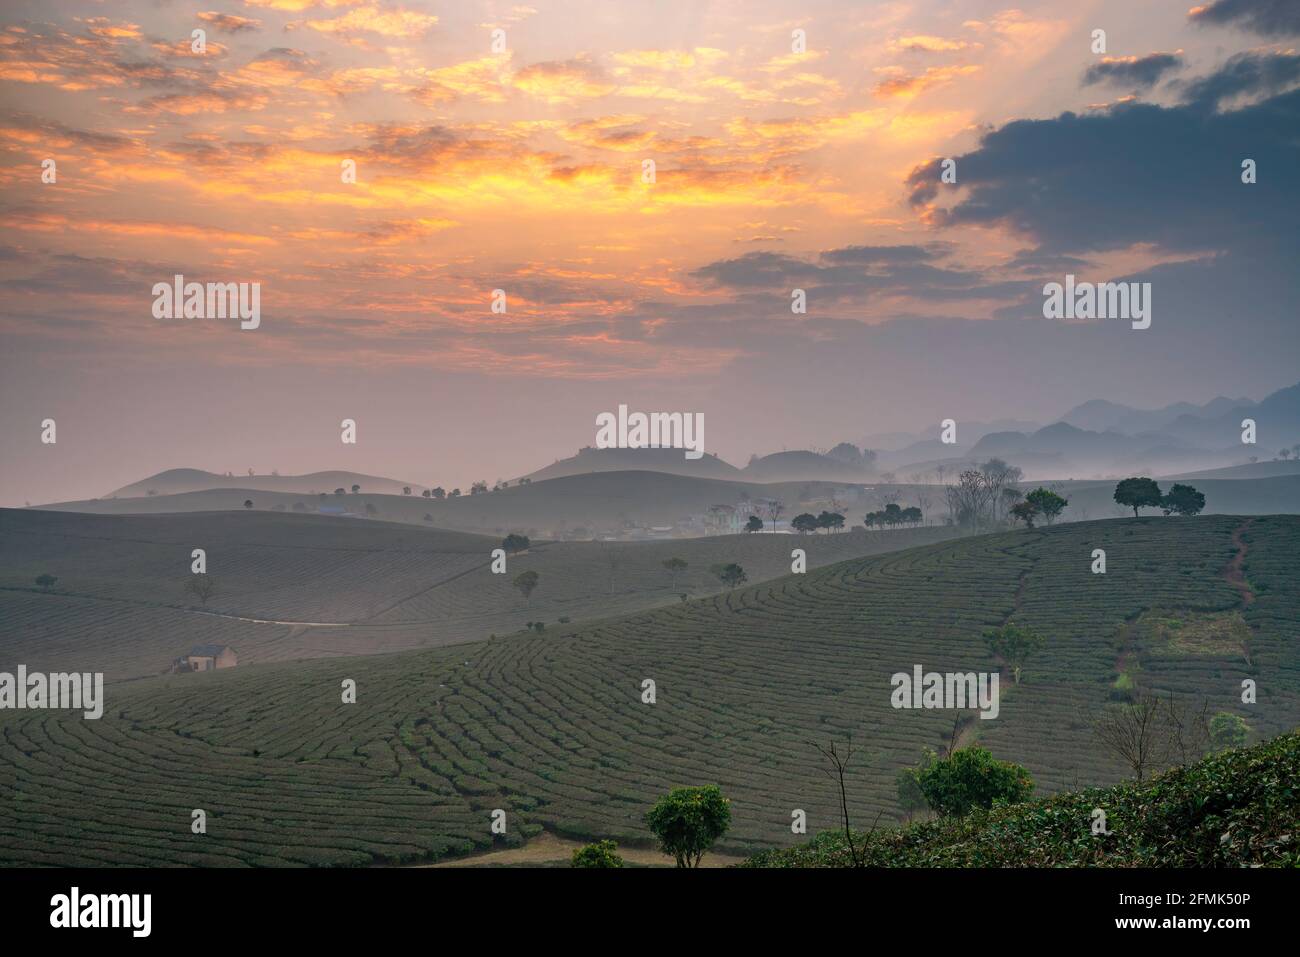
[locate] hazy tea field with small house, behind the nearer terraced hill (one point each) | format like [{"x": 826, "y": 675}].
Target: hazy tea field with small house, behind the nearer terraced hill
[{"x": 120, "y": 604}]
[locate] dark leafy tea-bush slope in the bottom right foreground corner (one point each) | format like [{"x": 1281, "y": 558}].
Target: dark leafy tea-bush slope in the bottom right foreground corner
[{"x": 1240, "y": 808}]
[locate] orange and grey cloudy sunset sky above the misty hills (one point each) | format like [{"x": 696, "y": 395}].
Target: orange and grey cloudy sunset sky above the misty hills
[{"x": 505, "y": 148}]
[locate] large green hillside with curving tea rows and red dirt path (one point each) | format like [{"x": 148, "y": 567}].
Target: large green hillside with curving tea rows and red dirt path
[{"x": 553, "y": 730}]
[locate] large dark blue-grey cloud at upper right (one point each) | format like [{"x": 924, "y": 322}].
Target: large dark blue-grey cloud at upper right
[{"x": 1136, "y": 174}]
